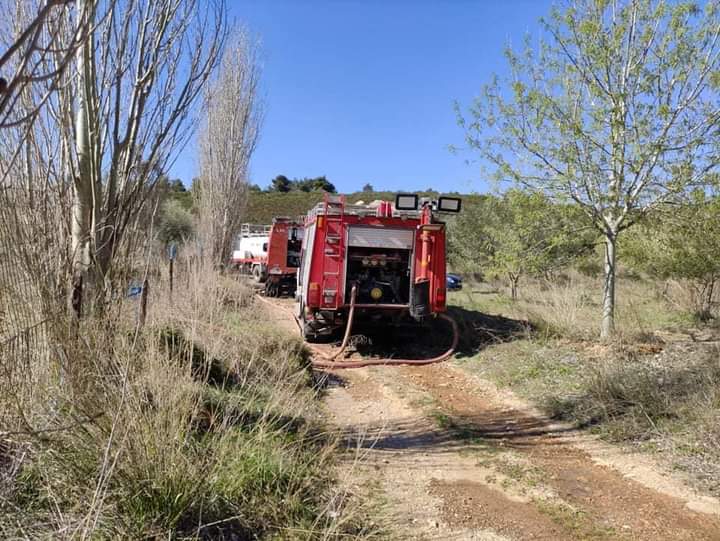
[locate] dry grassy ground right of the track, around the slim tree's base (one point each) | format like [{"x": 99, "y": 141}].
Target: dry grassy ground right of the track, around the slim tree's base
[{"x": 654, "y": 388}]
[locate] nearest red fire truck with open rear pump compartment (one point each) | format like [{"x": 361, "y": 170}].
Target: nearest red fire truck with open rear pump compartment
[{"x": 384, "y": 260}]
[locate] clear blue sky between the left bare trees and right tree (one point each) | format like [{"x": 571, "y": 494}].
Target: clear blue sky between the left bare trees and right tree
[{"x": 363, "y": 91}]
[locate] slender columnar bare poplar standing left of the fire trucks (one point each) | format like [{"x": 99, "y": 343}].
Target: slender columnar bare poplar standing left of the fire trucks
[{"x": 227, "y": 140}]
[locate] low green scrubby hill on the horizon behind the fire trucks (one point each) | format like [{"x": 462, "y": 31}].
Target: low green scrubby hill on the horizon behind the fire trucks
[{"x": 264, "y": 206}]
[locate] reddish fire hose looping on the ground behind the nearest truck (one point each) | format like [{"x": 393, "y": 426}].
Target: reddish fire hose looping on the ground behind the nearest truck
[{"x": 321, "y": 360}]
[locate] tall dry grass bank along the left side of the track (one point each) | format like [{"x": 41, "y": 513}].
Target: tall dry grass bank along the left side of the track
[{"x": 201, "y": 425}]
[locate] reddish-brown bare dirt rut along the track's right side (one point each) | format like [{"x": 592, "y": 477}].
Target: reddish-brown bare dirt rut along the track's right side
[{"x": 620, "y": 507}]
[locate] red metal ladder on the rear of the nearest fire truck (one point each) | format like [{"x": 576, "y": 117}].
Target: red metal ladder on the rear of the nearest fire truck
[{"x": 334, "y": 211}]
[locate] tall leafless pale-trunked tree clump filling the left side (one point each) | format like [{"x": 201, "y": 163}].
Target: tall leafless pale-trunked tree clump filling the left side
[{"x": 79, "y": 155}]
